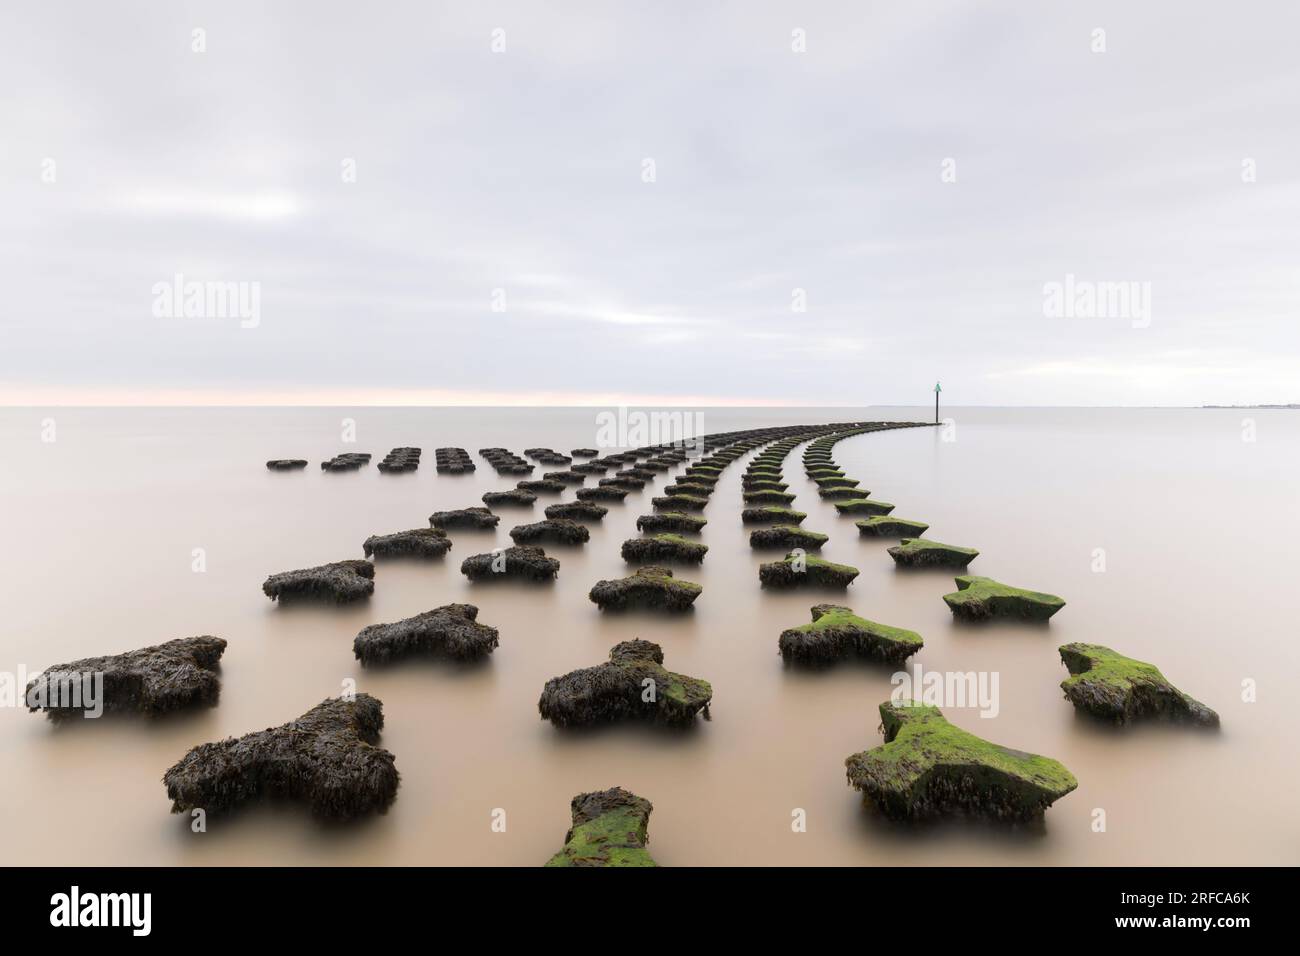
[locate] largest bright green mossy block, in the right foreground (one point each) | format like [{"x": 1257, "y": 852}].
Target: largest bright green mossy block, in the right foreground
[{"x": 928, "y": 768}]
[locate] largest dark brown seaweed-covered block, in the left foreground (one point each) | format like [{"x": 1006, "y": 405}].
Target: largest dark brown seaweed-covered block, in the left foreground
[{"x": 328, "y": 759}]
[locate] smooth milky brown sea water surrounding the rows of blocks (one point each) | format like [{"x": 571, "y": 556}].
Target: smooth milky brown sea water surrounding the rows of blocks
[{"x": 1199, "y": 531}]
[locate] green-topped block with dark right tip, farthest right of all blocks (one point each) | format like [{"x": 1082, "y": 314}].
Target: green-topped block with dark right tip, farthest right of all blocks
[{"x": 1108, "y": 685}]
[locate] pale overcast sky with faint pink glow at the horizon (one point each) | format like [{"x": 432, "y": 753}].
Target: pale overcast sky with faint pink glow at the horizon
[{"x": 677, "y": 204}]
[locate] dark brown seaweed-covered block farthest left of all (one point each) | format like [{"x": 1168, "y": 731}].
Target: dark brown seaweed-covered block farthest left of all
[{"x": 151, "y": 681}]
